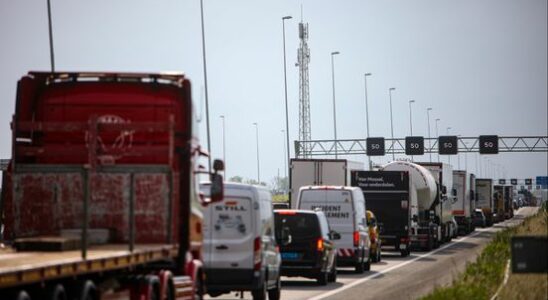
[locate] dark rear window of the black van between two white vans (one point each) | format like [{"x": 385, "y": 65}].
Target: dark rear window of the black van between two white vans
[{"x": 299, "y": 225}]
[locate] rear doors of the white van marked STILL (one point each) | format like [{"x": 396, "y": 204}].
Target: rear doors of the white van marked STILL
[{"x": 229, "y": 234}]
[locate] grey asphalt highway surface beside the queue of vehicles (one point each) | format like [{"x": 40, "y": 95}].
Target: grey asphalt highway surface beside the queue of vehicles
[{"x": 395, "y": 277}]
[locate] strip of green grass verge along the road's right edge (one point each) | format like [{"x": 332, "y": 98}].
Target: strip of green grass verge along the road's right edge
[{"x": 482, "y": 278}]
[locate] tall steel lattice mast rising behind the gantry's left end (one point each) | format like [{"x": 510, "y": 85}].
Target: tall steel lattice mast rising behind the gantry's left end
[{"x": 303, "y": 60}]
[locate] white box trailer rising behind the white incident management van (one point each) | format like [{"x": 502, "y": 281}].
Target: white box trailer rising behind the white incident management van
[{"x": 304, "y": 172}]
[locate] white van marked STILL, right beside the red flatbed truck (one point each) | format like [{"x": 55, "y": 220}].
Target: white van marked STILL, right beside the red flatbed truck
[{"x": 240, "y": 251}]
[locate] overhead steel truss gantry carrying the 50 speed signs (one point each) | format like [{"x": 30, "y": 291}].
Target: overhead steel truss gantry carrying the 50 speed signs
[{"x": 376, "y": 146}]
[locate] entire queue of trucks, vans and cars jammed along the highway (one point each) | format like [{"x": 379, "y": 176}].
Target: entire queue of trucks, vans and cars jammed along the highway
[{"x": 102, "y": 200}]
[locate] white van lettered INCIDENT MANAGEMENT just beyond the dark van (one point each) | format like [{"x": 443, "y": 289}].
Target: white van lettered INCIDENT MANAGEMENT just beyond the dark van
[{"x": 344, "y": 207}]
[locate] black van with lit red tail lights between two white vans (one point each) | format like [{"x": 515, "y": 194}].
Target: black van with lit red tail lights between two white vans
[{"x": 306, "y": 244}]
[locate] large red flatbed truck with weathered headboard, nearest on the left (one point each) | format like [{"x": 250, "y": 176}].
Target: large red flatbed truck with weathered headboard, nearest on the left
[{"x": 100, "y": 197}]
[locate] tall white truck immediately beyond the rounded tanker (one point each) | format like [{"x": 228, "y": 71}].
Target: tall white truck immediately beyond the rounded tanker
[{"x": 446, "y": 196}]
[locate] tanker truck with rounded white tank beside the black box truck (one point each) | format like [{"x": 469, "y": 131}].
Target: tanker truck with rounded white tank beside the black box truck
[{"x": 425, "y": 220}]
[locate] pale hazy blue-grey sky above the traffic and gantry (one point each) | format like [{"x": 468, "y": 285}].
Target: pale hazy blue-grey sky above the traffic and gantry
[{"x": 481, "y": 65}]
